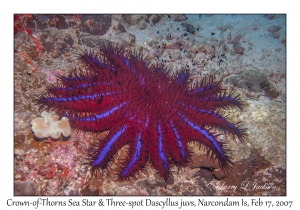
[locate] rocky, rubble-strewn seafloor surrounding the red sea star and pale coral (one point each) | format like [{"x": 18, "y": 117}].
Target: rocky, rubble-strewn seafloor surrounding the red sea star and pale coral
[{"x": 248, "y": 51}]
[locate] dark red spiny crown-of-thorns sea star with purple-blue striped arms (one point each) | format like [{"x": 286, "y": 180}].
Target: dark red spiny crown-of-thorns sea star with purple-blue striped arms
[{"x": 144, "y": 106}]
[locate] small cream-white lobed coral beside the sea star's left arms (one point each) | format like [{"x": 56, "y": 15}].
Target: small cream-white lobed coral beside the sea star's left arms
[{"x": 49, "y": 125}]
